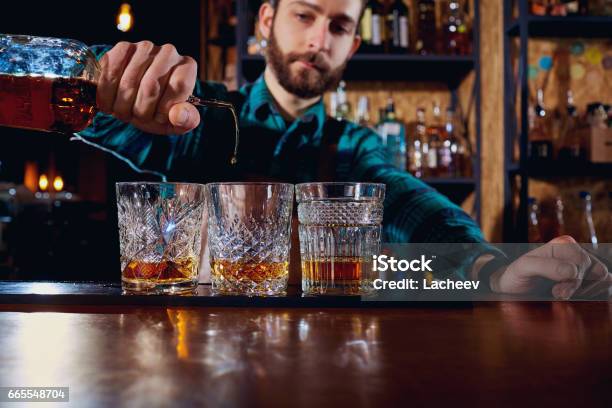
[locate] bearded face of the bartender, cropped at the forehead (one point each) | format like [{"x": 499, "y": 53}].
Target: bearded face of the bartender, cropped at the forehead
[{"x": 310, "y": 42}]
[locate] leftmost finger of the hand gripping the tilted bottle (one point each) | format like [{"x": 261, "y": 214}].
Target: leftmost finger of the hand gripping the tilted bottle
[{"x": 112, "y": 65}]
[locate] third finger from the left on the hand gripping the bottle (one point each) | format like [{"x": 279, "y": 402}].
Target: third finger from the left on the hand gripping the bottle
[{"x": 154, "y": 82}]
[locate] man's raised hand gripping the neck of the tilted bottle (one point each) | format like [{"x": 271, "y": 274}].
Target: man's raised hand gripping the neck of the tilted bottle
[{"x": 147, "y": 86}]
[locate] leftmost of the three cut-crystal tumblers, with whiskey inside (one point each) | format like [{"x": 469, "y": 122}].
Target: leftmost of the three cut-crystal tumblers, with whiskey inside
[{"x": 160, "y": 236}]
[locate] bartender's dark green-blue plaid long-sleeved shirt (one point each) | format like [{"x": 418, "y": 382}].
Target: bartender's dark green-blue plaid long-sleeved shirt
[{"x": 314, "y": 147}]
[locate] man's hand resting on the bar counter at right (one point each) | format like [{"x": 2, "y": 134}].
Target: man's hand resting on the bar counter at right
[{"x": 570, "y": 270}]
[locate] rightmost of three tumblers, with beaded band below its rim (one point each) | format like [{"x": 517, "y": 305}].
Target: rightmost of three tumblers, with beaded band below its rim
[{"x": 340, "y": 230}]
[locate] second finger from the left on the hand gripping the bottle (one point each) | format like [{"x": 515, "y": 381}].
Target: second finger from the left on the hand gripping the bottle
[{"x": 130, "y": 81}]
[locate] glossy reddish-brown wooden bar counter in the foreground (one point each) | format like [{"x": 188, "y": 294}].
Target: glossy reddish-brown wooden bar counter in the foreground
[{"x": 497, "y": 353}]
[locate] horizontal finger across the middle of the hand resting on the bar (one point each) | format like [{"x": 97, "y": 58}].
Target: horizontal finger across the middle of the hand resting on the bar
[{"x": 556, "y": 270}]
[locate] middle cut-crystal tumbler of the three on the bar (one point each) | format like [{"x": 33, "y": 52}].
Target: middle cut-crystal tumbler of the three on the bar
[{"x": 249, "y": 235}]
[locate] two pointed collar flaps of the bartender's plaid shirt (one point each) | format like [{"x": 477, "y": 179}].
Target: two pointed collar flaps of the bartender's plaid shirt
[{"x": 262, "y": 103}]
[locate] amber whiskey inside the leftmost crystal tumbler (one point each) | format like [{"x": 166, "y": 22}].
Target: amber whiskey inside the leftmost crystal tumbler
[{"x": 164, "y": 272}]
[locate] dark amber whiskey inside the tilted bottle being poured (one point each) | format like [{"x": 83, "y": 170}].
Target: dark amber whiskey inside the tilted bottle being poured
[{"x": 52, "y": 104}]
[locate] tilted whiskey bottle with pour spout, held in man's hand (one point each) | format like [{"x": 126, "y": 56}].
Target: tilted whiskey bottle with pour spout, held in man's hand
[{"x": 50, "y": 84}]
